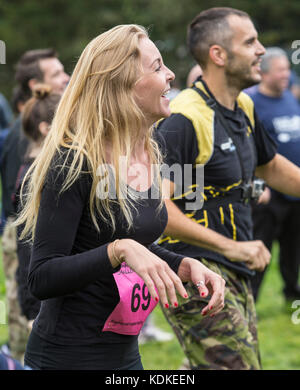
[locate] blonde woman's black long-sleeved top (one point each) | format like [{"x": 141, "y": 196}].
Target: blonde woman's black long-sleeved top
[{"x": 70, "y": 270}]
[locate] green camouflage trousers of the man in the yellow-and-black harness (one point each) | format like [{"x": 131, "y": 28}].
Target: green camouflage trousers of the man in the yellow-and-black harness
[{"x": 227, "y": 341}]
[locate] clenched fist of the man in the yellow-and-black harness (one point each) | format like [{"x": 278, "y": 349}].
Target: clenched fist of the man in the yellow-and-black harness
[{"x": 254, "y": 253}]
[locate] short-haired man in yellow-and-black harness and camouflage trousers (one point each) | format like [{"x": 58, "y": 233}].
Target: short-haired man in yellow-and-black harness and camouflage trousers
[{"x": 214, "y": 127}]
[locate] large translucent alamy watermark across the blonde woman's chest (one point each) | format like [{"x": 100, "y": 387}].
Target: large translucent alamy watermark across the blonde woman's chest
[{"x": 188, "y": 180}]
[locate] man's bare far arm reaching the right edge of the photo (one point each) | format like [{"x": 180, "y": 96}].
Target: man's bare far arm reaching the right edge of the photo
[{"x": 281, "y": 175}]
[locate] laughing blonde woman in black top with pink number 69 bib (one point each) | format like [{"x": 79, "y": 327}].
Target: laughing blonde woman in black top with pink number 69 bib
[{"x": 91, "y": 216}]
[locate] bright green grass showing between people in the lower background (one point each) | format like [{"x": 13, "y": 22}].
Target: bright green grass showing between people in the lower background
[{"x": 279, "y": 337}]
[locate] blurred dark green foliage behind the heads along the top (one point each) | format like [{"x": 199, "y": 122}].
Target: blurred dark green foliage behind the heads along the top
[{"x": 69, "y": 25}]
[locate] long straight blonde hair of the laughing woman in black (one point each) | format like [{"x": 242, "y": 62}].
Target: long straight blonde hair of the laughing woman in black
[{"x": 97, "y": 106}]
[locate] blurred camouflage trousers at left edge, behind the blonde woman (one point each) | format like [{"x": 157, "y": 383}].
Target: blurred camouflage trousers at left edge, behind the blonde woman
[{"x": 18, "y": 330}]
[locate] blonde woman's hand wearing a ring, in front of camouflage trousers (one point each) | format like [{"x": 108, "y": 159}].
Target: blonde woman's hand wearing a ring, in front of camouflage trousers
[{"x": 207, "y": 281}]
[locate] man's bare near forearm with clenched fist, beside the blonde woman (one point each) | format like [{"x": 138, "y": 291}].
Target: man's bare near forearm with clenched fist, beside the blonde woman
[{"x": 253, "y": 253}]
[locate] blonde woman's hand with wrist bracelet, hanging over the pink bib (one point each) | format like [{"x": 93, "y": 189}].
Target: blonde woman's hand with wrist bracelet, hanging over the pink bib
[{"x": 161, "y": 281}]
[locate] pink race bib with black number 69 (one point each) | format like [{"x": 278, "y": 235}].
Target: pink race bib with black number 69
[{"x": 135, "y": 303}]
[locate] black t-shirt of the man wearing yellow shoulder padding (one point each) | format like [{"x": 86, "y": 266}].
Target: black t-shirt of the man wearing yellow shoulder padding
[{"x": 222, "y": 173}]
